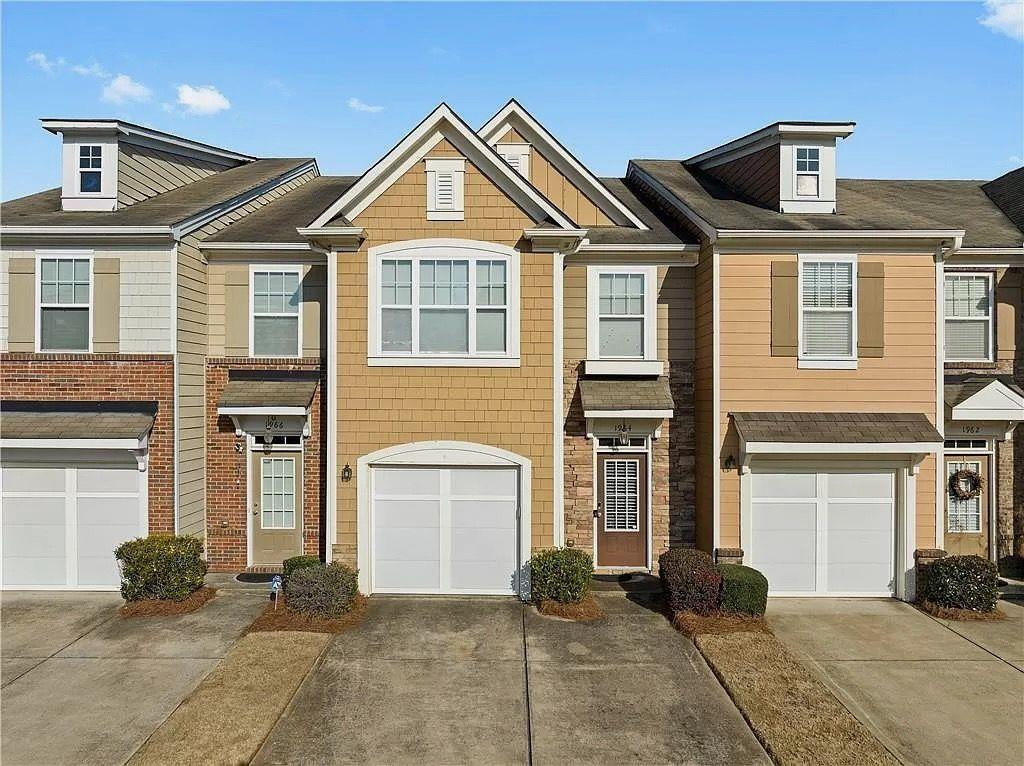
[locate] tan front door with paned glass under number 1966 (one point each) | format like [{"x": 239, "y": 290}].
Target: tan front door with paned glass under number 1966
[{"x": 277, "y": 512}]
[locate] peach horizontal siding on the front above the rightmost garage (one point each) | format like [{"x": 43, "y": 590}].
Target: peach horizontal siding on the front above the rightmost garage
[{"x": 752, "y": 379}]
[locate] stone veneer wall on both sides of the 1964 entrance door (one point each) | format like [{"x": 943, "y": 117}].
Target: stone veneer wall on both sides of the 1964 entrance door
[{"x": 673, "y": 486}]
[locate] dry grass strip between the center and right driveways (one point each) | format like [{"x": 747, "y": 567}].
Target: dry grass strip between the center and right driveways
[{"x": 794, "y": 716}]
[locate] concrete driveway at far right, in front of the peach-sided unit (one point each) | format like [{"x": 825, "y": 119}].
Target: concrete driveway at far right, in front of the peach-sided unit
[{"x": 933, "y": 692}]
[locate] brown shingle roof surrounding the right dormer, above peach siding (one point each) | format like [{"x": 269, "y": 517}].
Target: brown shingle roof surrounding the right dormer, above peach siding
[{"x": 863, "y": 204}]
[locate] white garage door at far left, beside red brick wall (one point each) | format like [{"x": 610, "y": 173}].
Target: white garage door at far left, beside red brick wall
[{"x": 62, "y": 524}]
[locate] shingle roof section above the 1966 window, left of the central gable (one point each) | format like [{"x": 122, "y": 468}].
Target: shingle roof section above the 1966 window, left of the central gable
[{"x": 301, "y": 207}]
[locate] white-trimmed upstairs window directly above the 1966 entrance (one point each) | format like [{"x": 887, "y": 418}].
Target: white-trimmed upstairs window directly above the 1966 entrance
[{"x": 276, "y": 319}]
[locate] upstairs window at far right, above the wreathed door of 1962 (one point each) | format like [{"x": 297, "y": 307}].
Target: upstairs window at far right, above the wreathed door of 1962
[{"x": 968, "y": 300}]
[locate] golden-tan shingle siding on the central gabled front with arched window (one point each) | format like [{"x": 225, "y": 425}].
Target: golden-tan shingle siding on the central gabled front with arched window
[{"x": 510, "y": 409}]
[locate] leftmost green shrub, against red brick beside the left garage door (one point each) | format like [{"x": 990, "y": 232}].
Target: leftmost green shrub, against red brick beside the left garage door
[{"x": 161, "y": 567}]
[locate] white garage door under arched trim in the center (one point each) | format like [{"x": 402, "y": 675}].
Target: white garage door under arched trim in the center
[{"x": 445, "y": 530}]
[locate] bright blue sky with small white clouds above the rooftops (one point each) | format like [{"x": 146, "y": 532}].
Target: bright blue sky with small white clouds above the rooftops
[{"x": 936, "y": 93}]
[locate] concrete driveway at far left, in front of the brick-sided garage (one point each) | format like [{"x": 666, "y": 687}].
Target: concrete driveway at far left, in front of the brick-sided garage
[{"x": 81, "y": 686}]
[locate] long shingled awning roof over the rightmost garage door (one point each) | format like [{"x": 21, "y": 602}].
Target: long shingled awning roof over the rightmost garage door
[{"x": 836, "y": 428}]
